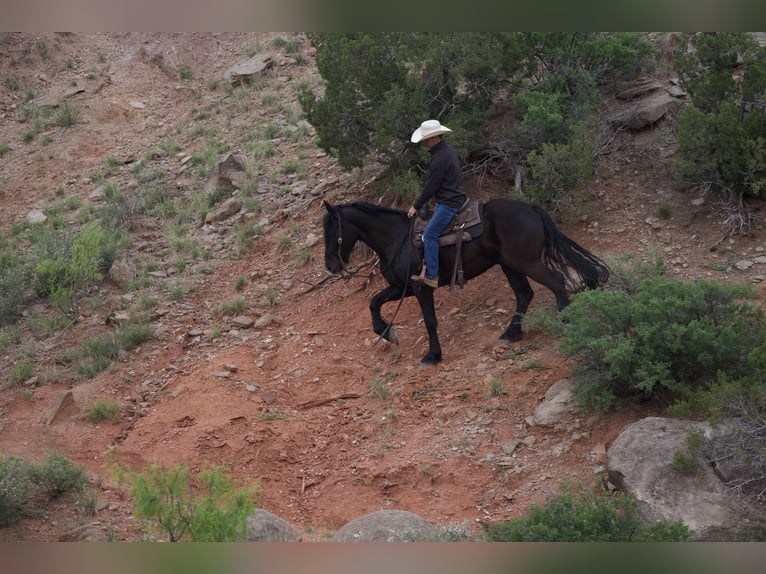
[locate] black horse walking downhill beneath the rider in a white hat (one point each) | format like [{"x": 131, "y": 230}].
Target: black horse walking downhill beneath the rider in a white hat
[{"x": 520, "y": 237}]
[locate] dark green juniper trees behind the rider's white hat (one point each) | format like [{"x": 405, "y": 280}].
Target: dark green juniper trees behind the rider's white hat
[{"x": 504, "y": 95}]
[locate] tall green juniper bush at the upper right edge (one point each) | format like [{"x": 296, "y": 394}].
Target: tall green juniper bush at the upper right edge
[{"x": 722, "y": 135}]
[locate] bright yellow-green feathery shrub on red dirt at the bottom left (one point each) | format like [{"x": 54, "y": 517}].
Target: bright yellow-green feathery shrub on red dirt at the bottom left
[{"x": 209, "y": 509}]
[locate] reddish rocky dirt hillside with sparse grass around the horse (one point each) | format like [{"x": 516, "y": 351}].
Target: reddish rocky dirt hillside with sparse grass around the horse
[{"x": 261, "y": 361}]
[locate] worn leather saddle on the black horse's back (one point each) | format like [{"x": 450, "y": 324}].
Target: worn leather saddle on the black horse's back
[{"x": 467, "y": 225}]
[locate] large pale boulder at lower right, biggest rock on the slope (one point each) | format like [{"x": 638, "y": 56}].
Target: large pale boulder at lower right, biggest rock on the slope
[{"x": 638, "y": 463}]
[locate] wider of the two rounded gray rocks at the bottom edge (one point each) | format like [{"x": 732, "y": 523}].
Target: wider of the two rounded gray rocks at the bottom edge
[{"x": 387, "y": 526}]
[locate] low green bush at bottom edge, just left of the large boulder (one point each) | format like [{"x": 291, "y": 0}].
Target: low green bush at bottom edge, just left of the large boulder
[{"x": 583, "y": 515}]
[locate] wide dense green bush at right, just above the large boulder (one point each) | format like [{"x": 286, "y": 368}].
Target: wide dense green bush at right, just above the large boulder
[{"x": 666, "y": 341}]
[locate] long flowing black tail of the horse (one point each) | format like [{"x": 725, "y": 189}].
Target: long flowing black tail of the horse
[{"x": 564, "y": 253}]
